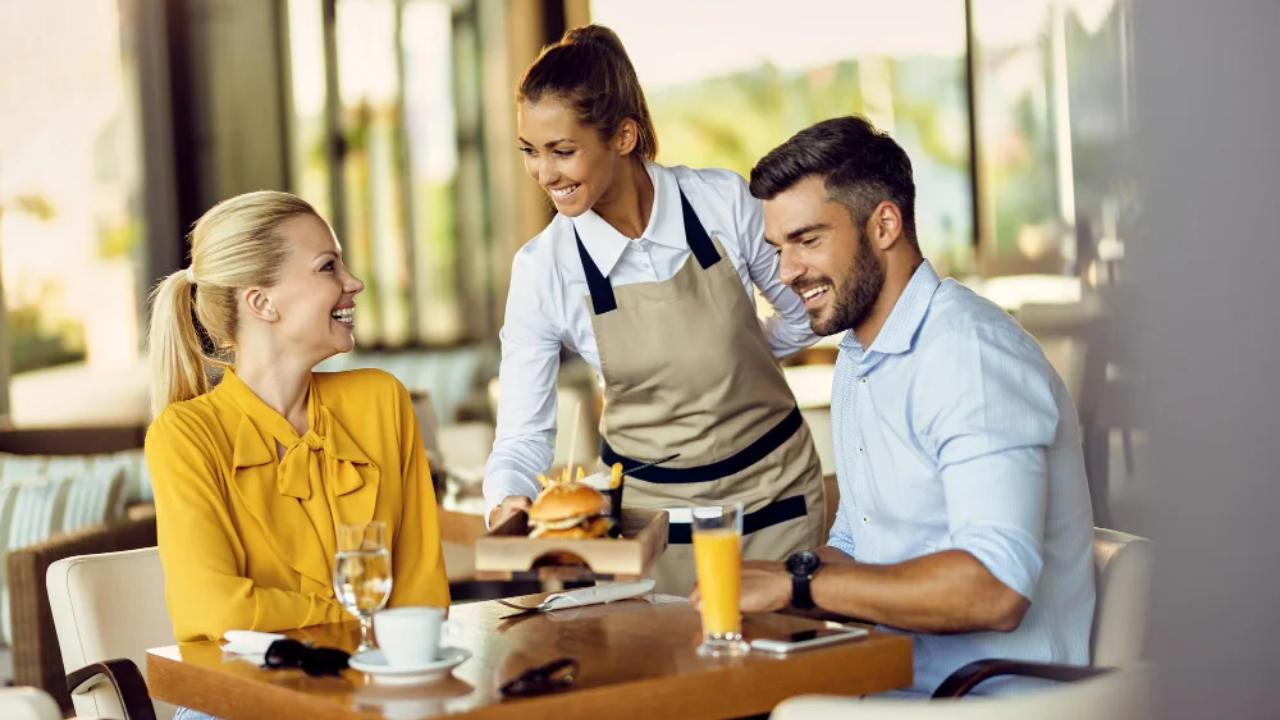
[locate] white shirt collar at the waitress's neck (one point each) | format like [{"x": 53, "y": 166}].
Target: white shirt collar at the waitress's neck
[{"x": 606, "y": 245}]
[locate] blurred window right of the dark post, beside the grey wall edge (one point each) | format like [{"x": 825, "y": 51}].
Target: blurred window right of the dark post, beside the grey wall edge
[{"x": 1053, "y": 124}]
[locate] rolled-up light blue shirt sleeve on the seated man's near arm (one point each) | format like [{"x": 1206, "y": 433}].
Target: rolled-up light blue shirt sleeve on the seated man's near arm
[{"x": 989, "y": 414}]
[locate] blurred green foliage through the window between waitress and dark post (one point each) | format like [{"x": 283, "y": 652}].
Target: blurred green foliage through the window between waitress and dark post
[{"x": 732, "y": 122}]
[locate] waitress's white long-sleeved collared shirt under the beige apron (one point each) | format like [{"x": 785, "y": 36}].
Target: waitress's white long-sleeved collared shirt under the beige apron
[{"x": 547, "y": 304}]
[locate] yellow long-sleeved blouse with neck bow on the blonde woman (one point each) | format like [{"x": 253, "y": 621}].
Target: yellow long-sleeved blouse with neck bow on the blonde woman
[{"x": 248, "y": 537}]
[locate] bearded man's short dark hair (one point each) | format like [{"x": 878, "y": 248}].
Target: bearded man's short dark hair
[{"x": 861, "y": 166}]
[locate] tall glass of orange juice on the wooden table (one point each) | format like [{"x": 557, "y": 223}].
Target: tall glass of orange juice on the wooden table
[{"x": 719, "y": 557}]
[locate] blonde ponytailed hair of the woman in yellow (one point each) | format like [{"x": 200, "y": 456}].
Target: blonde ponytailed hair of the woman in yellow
[{"x": 237, "y": 244}]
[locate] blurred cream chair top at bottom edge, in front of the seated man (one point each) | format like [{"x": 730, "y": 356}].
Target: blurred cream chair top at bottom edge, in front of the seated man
[{"x": 1117, "y": 696}]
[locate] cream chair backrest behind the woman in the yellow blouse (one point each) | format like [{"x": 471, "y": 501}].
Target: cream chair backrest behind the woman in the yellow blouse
[{"x": 108, "y": 607}]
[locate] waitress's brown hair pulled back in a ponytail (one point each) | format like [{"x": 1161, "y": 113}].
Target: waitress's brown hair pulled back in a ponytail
[{"x": 591, "y": 71}]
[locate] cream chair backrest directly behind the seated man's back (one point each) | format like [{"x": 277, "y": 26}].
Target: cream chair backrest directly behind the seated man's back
[{"x": 1124, "y": 567}]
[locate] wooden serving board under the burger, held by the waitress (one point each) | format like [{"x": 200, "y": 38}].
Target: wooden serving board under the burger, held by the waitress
[{"x": 509, "y": 554}]
